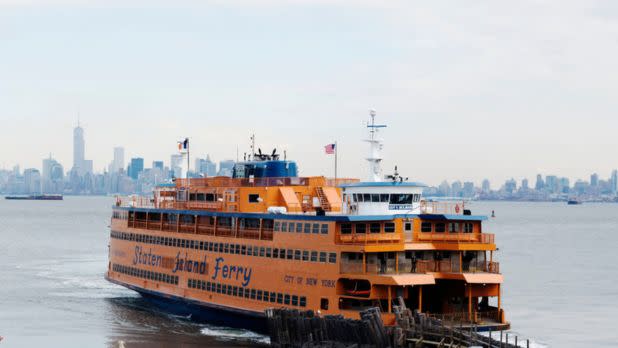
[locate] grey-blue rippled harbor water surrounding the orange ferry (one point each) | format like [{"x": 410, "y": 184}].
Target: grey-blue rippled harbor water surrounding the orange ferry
[{"x": 559, "y": 262}]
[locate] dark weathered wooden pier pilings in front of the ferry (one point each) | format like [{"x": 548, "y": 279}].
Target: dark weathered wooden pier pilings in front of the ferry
[{"x": 306, "y": 329}]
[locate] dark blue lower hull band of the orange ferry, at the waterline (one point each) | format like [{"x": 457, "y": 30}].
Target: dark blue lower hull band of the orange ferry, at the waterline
[{"x": 203, "y": 312}]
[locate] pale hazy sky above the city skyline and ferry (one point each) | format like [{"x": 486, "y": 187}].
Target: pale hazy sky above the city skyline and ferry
[{"x": 469, "y": 89}]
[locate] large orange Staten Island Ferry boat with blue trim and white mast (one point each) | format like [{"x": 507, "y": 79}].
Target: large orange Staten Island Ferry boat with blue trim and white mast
[{"x": 224, "y": 249}]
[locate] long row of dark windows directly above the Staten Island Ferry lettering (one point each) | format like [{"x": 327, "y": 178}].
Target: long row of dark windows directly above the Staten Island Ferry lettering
[{"x": 230, "y": 248}]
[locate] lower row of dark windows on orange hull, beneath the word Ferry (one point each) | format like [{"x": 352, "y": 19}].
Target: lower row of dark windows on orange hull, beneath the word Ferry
[{"x": 238, "y": 291}]
